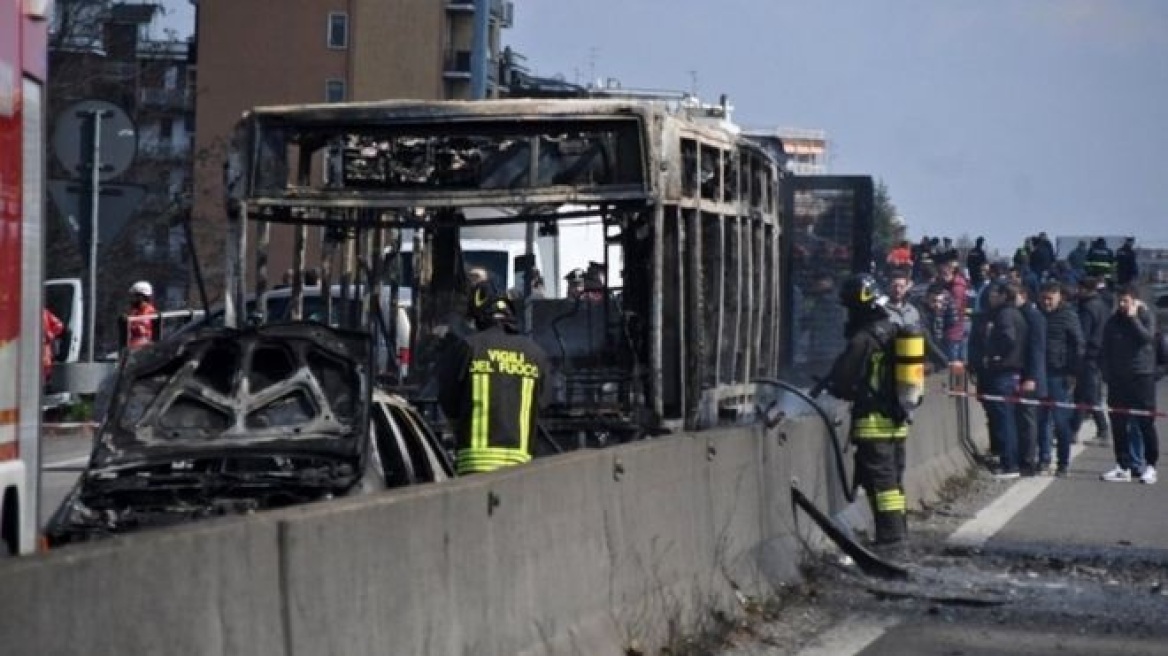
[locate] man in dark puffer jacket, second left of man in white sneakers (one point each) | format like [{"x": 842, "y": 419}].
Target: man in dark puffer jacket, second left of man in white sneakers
[{"x": 1065, "y": 351}]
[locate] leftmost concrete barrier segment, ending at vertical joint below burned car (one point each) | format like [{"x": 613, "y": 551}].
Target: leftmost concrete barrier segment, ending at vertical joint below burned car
[{"x": 211, "y": 590}]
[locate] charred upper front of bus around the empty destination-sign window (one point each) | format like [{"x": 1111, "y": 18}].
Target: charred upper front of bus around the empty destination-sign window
[{"x": 450, "y": 153}]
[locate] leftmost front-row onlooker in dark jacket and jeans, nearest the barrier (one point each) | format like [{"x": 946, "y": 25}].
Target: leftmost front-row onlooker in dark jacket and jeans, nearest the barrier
[{"x": 1004, "y": 351}]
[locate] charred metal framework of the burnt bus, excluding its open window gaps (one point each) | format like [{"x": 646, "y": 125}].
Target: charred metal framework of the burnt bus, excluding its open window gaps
[{"x": 707, "y": 210}]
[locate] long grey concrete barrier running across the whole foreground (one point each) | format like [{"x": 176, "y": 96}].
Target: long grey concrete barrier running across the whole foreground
[{"x": 589, "y": 553}]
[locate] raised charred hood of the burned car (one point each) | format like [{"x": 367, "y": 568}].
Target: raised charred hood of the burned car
[{"x": 290, "y": 390}]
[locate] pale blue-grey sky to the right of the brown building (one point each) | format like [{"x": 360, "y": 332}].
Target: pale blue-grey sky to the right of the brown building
[{"x": 1000, "y": 118}]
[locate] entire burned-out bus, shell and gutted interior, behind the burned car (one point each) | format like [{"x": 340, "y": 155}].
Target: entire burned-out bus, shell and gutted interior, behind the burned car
[{"x": 684, "y": 304}]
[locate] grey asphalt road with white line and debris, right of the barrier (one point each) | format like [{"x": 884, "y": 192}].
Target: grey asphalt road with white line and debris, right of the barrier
[{"x": 1040, "y": 566}]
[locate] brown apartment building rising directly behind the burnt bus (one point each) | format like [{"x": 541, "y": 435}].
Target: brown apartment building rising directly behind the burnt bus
[{"x": 282, "y": 52}]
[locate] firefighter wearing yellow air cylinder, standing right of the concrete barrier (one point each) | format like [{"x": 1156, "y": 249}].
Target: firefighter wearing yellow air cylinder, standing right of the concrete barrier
[{"x": 880, "y": 425}]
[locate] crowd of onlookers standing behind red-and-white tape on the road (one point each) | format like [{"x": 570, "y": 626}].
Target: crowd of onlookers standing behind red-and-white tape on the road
[{"x": 1041, "y": 337}]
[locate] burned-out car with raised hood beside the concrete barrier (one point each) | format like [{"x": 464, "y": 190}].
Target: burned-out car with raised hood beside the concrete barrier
[{"x": 224, "y": 422}]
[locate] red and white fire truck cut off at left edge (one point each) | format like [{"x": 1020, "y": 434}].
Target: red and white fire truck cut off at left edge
[{"x": 23, "y": 74}]
